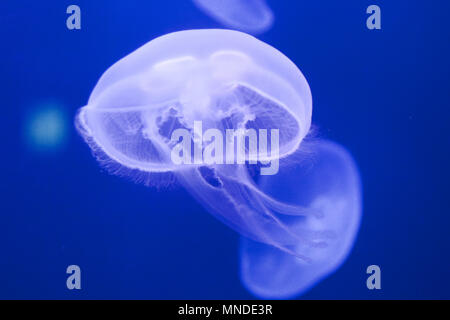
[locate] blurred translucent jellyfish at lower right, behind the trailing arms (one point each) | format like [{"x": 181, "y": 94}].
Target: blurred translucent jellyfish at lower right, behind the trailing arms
[{"x": 329, "y": 182}]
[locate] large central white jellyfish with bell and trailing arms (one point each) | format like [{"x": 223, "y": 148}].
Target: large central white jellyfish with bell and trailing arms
[{"x": 190, "y": 89}]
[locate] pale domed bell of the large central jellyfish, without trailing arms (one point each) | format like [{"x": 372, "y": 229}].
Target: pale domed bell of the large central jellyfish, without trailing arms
[{"x": 196, "y": 75}]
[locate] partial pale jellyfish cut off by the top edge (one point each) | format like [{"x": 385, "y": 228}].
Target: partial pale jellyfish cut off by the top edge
[{"x": 251, "y": 16}]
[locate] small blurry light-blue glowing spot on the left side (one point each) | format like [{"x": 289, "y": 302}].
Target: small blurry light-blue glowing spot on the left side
[{"x": 46, "y": 127}]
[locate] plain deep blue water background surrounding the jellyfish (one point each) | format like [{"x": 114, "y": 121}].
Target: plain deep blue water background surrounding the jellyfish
[{"x": 383, "y": 94}]
